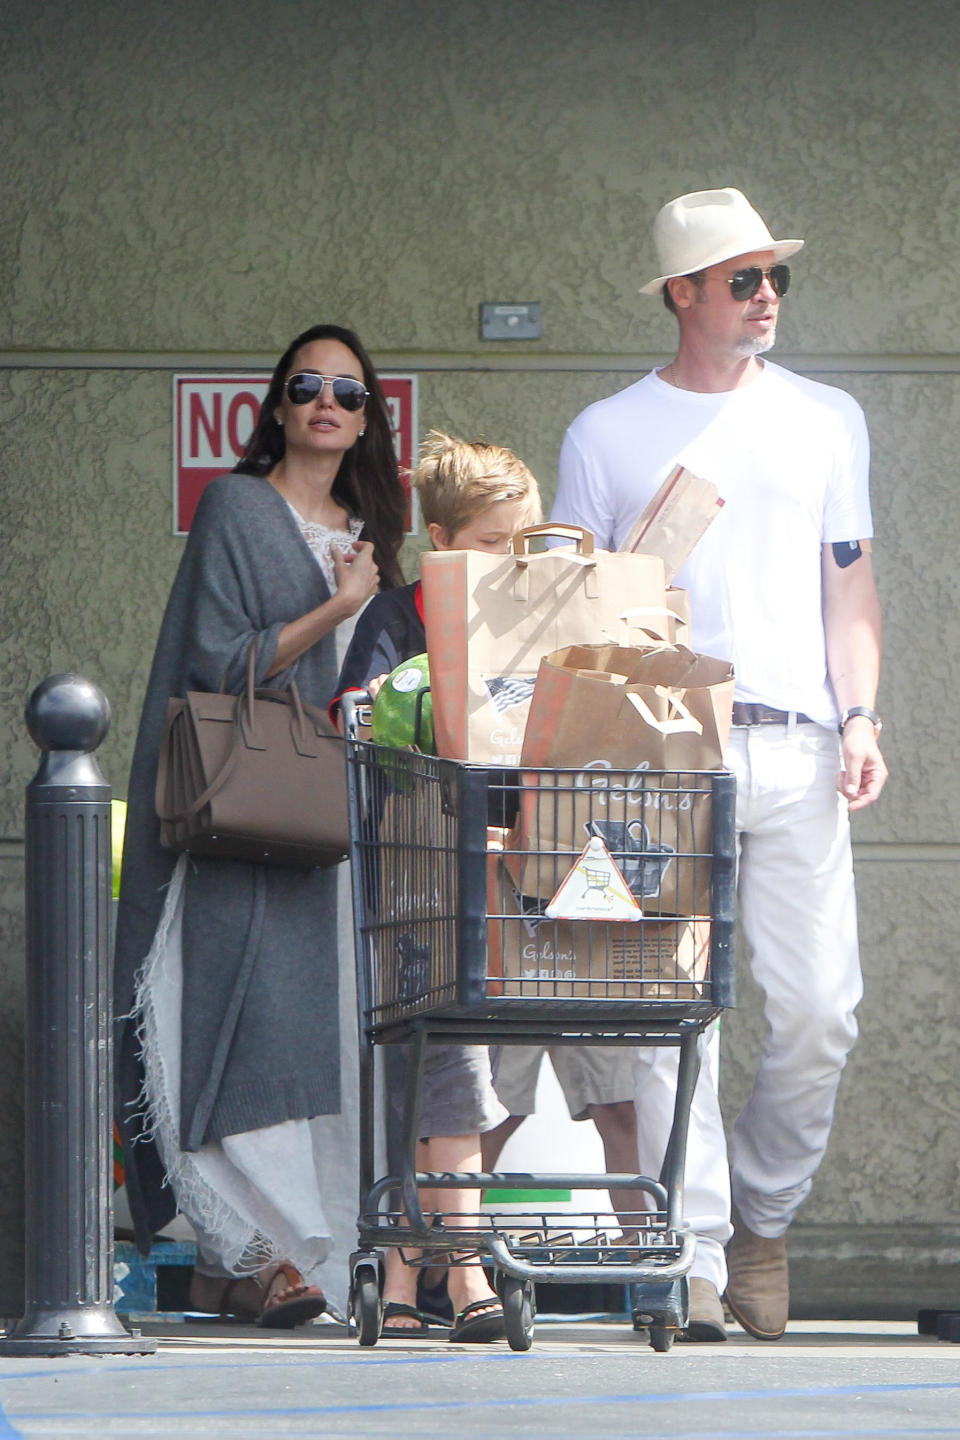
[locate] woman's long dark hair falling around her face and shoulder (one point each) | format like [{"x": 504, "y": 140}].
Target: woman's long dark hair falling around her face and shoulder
[{"x": 368, "y": 483}]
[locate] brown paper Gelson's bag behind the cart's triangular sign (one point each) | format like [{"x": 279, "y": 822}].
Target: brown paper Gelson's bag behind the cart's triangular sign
[{"x": 617, "y": 718}]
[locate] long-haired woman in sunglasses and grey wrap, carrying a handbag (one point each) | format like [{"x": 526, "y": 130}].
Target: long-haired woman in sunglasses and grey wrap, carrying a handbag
[{"x": 227, "y": 978}]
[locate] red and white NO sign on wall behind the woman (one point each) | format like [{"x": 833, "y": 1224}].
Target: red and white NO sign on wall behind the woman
[{"x": 214, "y": 417}]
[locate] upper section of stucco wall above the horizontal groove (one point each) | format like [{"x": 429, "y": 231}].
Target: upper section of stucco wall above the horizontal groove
[{"x": 207, "y": 176}]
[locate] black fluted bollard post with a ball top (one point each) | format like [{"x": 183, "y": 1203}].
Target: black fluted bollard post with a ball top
[{"x": 68, "y": 1094}]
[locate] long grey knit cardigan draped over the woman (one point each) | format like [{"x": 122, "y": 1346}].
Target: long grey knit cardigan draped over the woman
[{"x": 261, "y": 1040}]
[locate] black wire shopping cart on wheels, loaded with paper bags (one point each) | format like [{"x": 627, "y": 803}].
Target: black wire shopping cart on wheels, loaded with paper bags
[{"x": 460, "y": 942}]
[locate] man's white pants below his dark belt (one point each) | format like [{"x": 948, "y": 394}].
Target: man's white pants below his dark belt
[{"x": 798, "y": 914}]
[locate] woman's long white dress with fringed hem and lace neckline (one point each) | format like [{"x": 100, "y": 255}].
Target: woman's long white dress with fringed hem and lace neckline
[{"x": 286, "y": 1192}]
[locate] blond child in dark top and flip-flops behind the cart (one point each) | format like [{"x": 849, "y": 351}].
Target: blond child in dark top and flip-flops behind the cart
[{"x": 473, "y": 498}]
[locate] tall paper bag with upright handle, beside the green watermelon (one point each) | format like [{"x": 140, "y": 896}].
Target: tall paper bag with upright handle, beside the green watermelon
[{"x": 492, "y": 618}]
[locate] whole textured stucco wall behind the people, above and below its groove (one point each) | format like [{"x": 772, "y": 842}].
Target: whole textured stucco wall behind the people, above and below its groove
[{"x": 188, "y": 184}]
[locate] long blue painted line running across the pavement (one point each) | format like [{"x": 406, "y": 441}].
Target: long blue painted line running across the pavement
[{"x": 532, "y": 1402}]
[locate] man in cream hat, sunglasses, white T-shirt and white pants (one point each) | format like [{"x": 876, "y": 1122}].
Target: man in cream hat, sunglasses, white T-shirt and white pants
[{"x": 782, "y": 587}]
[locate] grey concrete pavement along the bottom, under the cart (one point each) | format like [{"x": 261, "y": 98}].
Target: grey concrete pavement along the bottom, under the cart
[{"x": 579, "y": 1380}]
